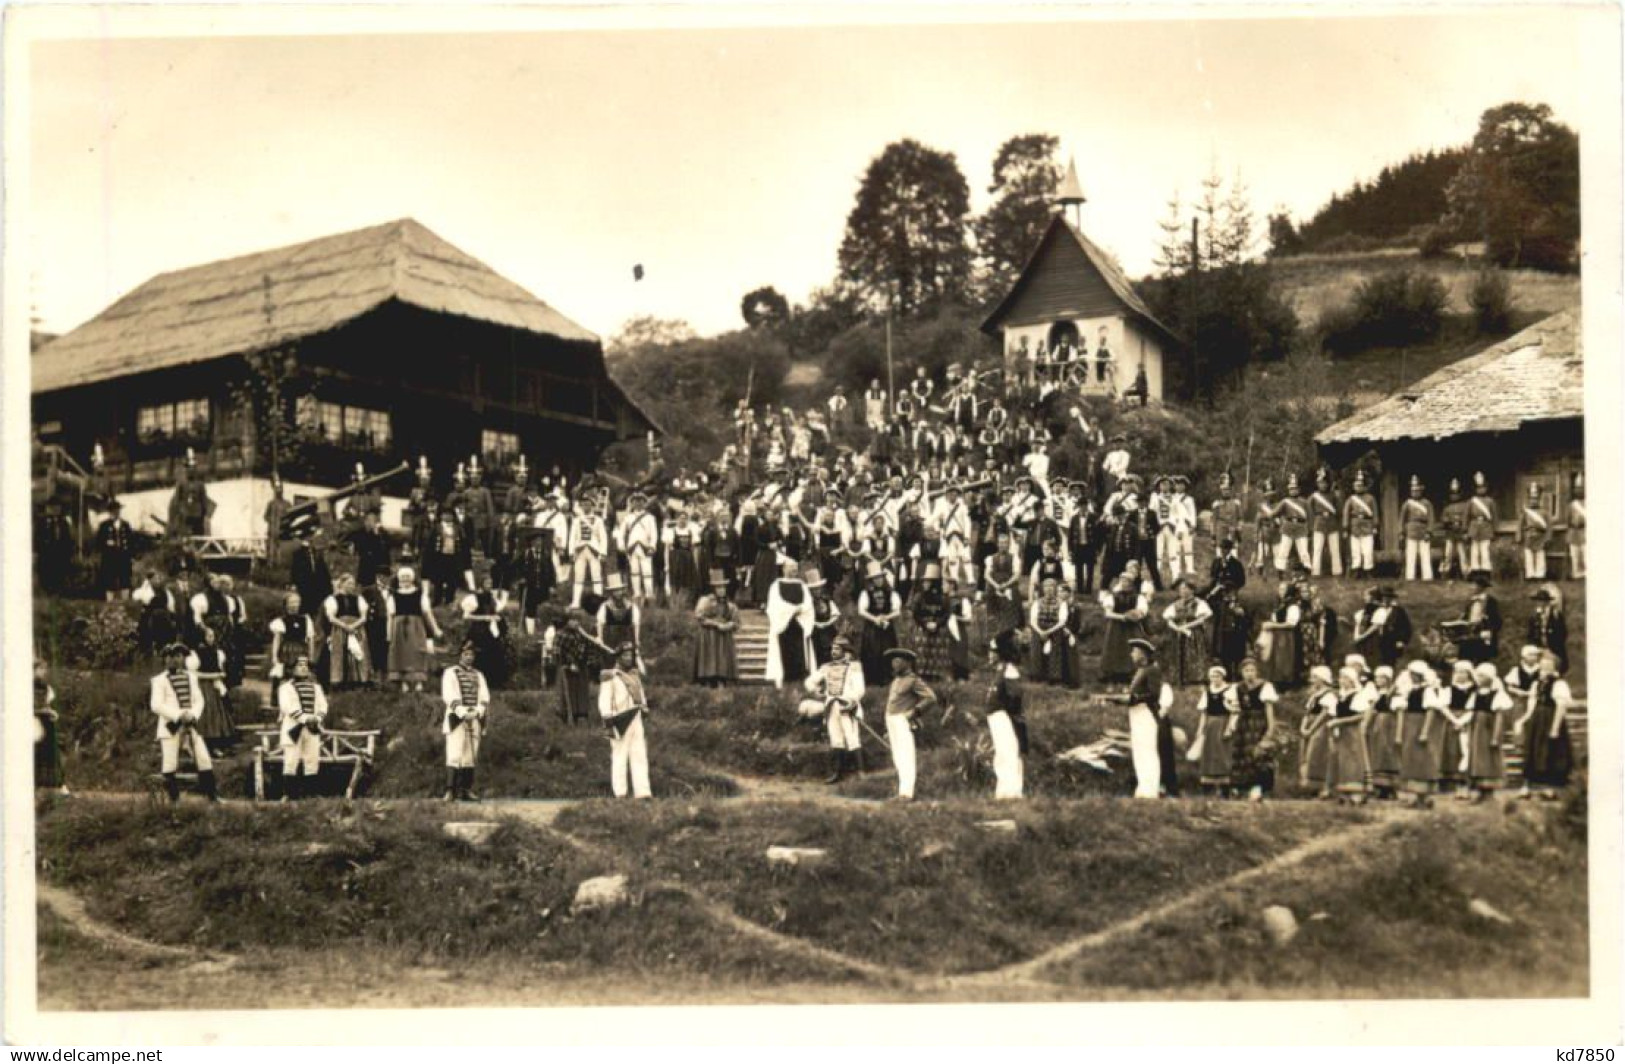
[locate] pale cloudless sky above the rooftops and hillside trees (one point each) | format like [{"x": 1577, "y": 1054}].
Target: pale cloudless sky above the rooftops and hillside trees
[{"x": 719, "y": 160}]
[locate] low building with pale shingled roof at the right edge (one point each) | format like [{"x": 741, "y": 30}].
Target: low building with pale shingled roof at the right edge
[{"x": 1514, "y": 413}]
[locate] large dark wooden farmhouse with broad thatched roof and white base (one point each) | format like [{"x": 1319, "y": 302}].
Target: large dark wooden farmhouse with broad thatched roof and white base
[{"x": 389, "y": 345}]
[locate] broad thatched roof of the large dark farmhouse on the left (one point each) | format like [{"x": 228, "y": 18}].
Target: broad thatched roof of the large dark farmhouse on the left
[{"x": 220, "y": 309}]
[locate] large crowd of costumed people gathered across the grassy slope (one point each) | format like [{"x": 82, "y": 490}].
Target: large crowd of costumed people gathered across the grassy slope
[{"x": 896, "y": 540}]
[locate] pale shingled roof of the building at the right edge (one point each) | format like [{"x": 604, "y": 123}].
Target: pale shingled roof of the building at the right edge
[{"x": 1533, "y": 376}]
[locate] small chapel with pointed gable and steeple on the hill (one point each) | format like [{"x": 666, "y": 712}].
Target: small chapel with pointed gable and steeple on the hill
[{"x": 1072, "y": 292}]
